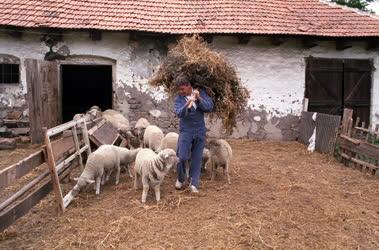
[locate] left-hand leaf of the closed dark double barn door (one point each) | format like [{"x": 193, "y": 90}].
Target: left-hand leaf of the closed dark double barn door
[{"x": 323, "y": 85}]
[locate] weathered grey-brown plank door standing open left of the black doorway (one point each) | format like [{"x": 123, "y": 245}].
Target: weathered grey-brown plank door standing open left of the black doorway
[{"x": 42, "y": 96}]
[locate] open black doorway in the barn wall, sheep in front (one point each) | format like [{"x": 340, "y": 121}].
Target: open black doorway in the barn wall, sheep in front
[{"x": 84, "y": 86}]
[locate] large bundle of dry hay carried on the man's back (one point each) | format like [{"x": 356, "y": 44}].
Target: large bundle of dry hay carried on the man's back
[{"x": 208, "y": 69}]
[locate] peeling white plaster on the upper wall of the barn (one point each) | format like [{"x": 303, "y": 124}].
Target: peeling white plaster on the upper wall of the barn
[{"x": 275, "y": 75}]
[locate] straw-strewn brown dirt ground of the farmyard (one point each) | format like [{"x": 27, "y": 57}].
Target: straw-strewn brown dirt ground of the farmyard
[{"x": 281, "y": 197}]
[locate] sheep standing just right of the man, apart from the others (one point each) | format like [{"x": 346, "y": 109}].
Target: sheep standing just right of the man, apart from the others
[{"x": 221, "y": 155}]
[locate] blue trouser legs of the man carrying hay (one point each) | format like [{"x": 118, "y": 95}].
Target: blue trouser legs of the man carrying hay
[{"x": 190, "y": 146}]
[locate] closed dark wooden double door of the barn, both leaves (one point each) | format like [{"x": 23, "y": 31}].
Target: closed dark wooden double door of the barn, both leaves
[{"x": 335, "y": 84}]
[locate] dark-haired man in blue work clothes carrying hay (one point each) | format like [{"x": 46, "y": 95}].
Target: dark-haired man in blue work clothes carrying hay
[{"x": 190, "y": 106}]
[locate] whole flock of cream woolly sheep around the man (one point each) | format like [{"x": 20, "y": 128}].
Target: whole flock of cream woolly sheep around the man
[{"x": 147, "y": 152}]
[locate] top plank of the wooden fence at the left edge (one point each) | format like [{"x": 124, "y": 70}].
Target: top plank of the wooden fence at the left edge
[{"x": 10, "y": 174}]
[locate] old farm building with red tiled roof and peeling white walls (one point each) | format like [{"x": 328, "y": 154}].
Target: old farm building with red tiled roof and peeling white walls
[{"x": 58, "y": 58}]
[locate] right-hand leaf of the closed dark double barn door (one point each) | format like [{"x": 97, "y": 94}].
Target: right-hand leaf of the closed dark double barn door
[{"x": 357, "y": 87}]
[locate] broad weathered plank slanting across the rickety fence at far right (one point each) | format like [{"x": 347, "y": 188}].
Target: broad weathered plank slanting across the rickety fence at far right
[{"x": 359, "y": 147}]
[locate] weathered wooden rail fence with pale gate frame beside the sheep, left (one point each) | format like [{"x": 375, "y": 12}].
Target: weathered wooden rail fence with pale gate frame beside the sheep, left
[{"x": 60, "y": 155}]
